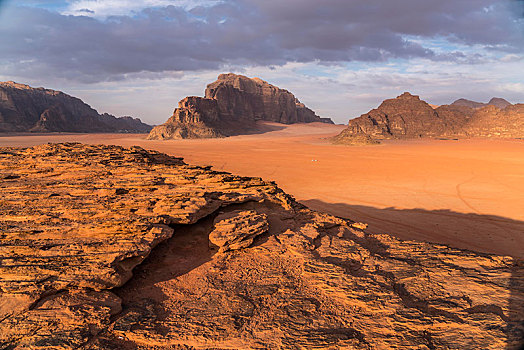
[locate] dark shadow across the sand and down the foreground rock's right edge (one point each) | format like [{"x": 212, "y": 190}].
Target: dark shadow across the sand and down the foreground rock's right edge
[{"x": 453, "y": 229}]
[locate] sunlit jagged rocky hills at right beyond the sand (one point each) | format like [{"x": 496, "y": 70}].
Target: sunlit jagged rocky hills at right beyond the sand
[{"x": 408, "y": 117}]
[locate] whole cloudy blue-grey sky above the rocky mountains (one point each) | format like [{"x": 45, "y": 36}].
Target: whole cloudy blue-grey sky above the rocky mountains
[{"x": 340, "y": 57}]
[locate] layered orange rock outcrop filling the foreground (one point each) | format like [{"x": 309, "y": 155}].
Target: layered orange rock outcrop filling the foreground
[{"x": 115, "y": 251}]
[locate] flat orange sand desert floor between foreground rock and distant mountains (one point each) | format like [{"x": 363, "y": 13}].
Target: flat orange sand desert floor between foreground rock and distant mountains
[{"x": 467, "y": 193}]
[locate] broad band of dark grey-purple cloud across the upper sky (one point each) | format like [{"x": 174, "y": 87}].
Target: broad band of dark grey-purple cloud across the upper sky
[{"x": 250, "y": 32}]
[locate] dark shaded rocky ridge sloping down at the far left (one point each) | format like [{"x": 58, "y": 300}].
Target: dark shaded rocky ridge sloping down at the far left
[{"x": 27, "y": 109}]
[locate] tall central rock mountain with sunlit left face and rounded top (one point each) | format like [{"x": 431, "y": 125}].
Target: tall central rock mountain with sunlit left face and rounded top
[{"x": 231, "y": 106}]
